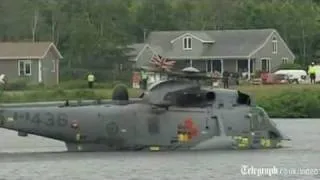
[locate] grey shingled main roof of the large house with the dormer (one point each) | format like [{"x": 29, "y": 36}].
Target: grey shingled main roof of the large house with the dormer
[{"x": 223, "y": 43}]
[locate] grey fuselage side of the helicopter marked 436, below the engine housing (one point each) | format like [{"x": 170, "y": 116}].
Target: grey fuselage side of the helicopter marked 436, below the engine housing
[{"x": 132, "y": 126}]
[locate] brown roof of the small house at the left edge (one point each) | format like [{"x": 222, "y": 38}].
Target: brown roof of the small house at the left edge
[{"x": 26, "y": 50}]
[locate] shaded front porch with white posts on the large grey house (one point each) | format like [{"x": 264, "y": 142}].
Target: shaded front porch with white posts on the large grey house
[{"x": 221, "y": 65}]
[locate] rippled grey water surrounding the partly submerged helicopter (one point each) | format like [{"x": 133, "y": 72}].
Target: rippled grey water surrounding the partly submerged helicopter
[{"x": 29, "y": 158}]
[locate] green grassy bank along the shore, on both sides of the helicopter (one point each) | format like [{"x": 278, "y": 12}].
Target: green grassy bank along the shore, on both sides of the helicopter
[{"x": 283, "y": 101}]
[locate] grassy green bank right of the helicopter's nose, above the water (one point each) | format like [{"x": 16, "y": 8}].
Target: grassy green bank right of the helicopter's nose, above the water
[{"x": 288, "y": 101}]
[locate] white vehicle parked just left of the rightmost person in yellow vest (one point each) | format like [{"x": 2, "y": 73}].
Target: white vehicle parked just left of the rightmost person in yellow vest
[{"x": 295, "y": 76}]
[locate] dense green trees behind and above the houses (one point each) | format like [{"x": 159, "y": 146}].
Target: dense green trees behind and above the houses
[{"x": 87, "y": 31}]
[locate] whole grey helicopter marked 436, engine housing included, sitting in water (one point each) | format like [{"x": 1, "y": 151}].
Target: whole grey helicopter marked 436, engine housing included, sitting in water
[{"x": 170, "y": 115}]
